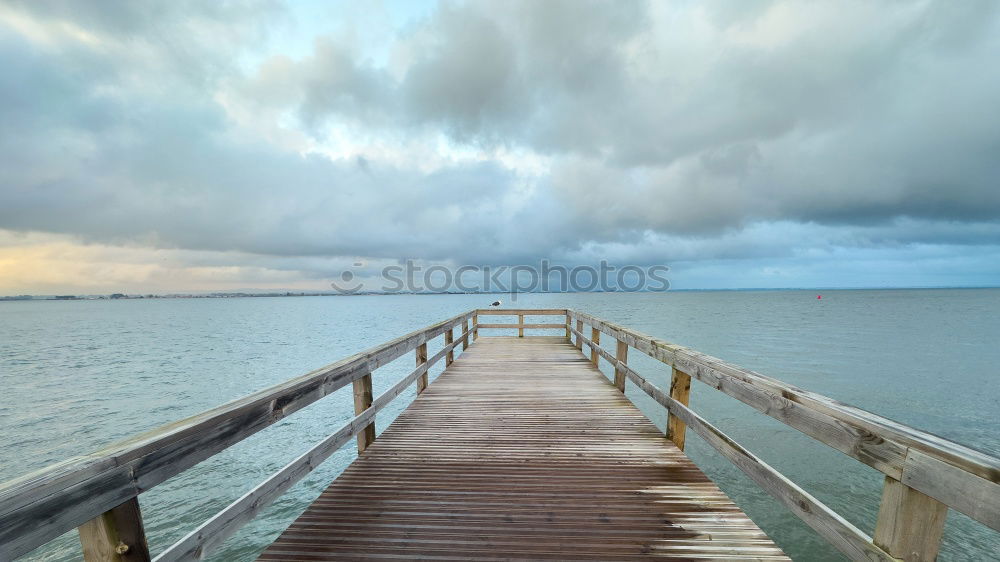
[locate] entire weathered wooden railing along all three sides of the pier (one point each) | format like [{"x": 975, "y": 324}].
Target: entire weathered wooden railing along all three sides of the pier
[{"x": 98, "y": 493}]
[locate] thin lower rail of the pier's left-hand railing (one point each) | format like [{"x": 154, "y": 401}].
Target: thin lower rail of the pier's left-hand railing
[{"x": 210, "y": 534}]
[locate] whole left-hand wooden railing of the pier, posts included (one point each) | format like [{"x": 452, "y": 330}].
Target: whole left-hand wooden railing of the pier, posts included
[{"x": 98, "y": 493}]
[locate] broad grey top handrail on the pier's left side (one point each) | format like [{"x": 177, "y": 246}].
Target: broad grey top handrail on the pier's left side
[{"x": 40, "y": 506}]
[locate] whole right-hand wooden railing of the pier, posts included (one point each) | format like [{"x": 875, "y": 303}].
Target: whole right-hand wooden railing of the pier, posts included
[{"x": 924, "y": 474}]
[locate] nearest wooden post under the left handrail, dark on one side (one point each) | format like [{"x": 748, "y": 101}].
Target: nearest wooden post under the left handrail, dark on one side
[{"x": 116, "y": 535}]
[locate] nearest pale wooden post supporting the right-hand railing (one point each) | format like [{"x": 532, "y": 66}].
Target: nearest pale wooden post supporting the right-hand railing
[{"x": 910, "y": 523}]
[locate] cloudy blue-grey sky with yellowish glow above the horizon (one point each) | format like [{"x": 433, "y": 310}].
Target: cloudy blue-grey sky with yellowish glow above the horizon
[{"x": 184, "y": 146}]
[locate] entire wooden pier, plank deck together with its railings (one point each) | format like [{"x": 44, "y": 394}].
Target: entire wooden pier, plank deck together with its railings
[{"x": 520, "y": 450}]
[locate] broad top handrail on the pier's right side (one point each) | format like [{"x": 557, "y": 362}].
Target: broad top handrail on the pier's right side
[{"x": 874, "y": 440}]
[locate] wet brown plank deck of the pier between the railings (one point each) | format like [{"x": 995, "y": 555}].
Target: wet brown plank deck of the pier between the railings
[{"x": 522, "y": 449}]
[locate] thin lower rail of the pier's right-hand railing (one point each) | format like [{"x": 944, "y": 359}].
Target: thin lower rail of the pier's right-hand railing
[{"x": 839, "y": 532}]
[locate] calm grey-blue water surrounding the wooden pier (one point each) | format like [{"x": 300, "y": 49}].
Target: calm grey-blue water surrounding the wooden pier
[{"x": 79, "y": 374}]
